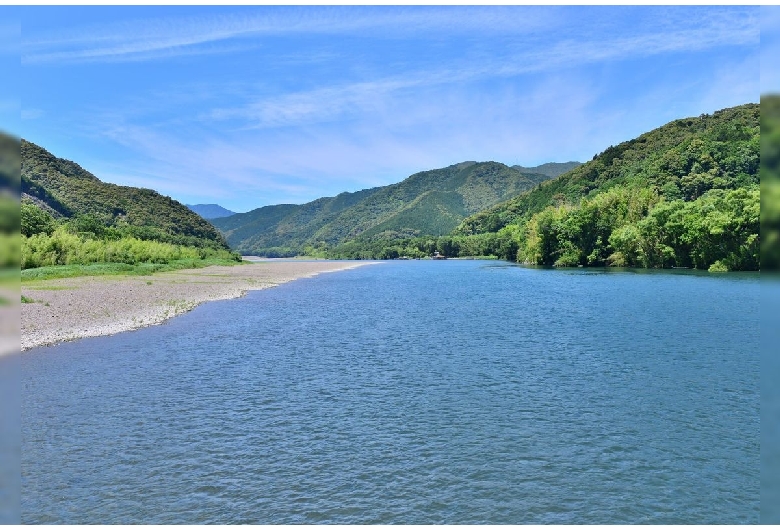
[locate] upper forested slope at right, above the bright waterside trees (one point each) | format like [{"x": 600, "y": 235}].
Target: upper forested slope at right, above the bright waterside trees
[{"x": 680, "y": 160}]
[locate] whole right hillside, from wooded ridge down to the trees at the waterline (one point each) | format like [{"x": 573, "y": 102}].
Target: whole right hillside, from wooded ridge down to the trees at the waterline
[{"x": 683, "y": 195}]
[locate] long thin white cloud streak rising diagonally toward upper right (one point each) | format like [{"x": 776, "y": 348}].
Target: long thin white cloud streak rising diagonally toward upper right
[{"x": 334, "y": 102}]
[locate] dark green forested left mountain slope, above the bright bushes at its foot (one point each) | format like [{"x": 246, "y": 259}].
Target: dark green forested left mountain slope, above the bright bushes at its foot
[{"x": 63, "y": 189}]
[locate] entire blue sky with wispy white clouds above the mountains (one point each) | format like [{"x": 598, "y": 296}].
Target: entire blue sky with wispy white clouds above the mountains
[{"x": 250, "y": 106}]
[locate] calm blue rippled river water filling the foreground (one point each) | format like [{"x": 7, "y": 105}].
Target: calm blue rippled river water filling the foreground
[{"x": 411, "y": 392}]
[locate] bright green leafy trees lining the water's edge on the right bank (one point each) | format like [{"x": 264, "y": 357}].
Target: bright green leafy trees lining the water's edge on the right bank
[{"x": 719, "y": 227}]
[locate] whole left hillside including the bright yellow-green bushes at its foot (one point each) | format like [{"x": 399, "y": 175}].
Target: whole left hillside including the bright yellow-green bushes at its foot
[{"x": 69, "y": 217}]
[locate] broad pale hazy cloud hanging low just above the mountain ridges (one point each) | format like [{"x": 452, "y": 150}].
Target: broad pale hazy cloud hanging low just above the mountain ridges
[{"x": 251, "y": 169}]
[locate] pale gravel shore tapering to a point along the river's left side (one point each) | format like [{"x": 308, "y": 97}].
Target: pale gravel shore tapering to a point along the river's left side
[{"x": 74, "y": 308}]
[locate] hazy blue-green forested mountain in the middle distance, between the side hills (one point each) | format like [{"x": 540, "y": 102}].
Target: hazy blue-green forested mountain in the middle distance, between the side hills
[{"x": 429, "y": 203}]
